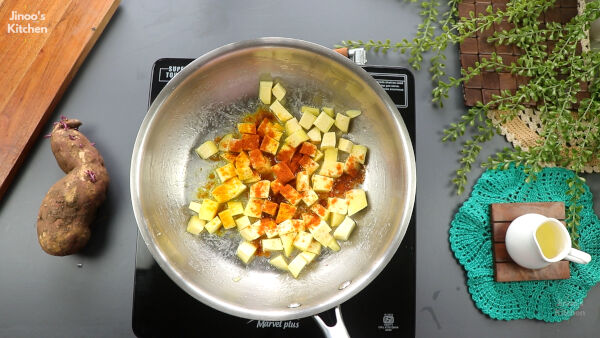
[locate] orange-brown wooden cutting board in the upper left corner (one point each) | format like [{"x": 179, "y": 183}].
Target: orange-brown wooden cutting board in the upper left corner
[{"x": 42, "y": 44}]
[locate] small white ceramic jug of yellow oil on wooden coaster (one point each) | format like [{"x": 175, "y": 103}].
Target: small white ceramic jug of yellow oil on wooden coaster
[{"x": 534, "y": 241}]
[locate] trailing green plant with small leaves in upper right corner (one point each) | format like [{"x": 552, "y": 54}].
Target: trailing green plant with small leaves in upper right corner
[{"x": 570, "y": 133}]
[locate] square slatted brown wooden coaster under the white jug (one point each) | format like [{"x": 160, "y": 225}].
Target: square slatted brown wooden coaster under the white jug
[{"x": 505, "y": 270}]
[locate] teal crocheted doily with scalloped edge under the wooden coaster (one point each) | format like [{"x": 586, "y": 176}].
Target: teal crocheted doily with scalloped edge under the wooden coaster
[{"x": 470, "y": 239}]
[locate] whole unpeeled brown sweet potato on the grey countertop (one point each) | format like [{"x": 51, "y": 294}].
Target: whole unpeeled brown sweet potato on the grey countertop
[{"x": 70, "y": 206}]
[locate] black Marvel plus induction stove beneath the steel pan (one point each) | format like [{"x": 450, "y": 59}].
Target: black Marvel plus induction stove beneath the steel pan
[{"x": 385, "y": 308}]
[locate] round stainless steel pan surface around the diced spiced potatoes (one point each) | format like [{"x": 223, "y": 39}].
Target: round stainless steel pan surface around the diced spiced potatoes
[{"x": 205, "y": 100}]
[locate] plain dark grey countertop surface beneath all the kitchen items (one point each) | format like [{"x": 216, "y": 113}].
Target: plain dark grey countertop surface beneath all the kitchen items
[{"x": 48, "y": 296}]
